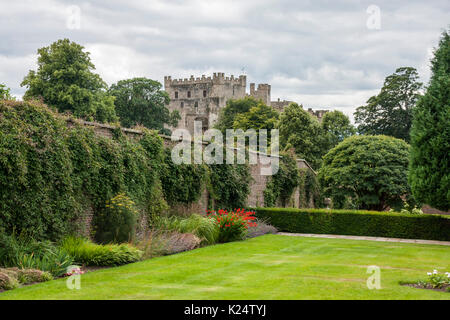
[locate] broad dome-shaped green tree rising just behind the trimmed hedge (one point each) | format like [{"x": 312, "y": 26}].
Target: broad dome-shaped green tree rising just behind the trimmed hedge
[{"x": 371, "y": 171}]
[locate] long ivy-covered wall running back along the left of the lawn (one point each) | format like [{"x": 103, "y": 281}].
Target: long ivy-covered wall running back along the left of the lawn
[{"x": 57, "y": 173}]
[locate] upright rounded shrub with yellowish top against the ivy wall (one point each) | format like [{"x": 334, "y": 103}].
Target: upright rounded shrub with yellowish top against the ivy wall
[{"x": 117, "y": 222}]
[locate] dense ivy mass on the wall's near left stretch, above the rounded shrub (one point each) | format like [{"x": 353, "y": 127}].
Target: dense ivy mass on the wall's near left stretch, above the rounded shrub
[{"x": 51, "y": 175}]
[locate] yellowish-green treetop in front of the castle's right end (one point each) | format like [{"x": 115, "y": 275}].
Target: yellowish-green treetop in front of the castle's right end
[{"x": 261, "y": 116}]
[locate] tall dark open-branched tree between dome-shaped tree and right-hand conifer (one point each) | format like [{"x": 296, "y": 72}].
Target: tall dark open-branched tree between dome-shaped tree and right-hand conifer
[{"x": 390, "y": 112}]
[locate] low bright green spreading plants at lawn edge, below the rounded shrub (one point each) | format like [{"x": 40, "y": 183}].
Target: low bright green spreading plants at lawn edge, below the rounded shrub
[{"x": 85, "y": 252}]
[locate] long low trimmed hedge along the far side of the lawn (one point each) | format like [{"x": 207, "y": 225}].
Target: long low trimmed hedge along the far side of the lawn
[{"x": 358, "y": 222}]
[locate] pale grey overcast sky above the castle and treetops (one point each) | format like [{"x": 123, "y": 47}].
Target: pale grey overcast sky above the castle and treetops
[{"x": 324, "y": 54}]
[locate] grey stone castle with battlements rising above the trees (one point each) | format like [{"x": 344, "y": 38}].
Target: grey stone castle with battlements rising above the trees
[{"x": 200, "y": 99}]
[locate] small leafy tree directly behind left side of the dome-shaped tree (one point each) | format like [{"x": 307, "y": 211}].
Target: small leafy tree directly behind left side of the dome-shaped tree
[{"x": 337, "y": 127}]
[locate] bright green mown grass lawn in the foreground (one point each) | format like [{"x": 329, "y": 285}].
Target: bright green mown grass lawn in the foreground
[{"x": 267, "y": 267}]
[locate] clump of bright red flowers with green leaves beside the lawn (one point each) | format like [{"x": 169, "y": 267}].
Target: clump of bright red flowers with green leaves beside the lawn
[{"x": 233, "y": 225}]
